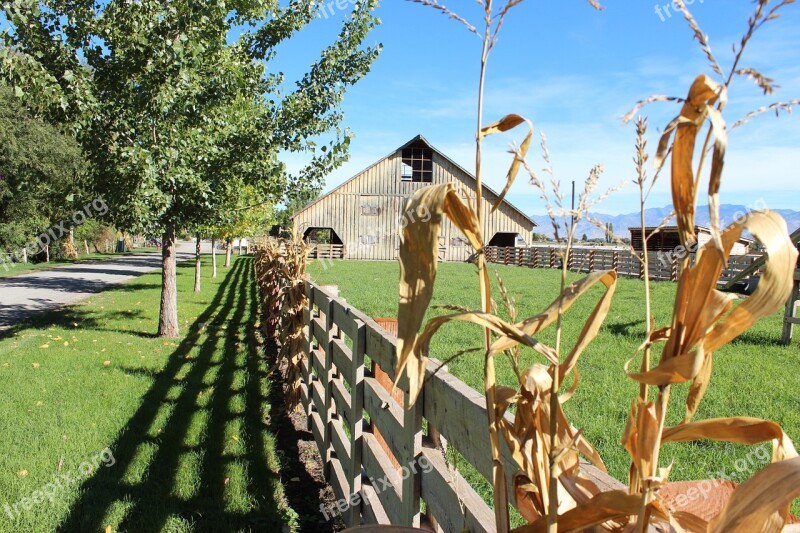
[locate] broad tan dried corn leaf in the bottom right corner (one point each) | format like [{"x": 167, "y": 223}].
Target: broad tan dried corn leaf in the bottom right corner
[{"x": 762, "y": 502}]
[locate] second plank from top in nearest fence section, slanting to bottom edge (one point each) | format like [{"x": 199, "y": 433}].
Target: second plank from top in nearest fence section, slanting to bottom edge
[{"x": 450, "y": 499}]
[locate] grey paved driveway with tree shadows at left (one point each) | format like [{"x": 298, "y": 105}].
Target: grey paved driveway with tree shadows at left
[{"x": 28, "y": 294}]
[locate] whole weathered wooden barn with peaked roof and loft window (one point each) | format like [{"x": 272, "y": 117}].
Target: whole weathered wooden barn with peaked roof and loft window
[{"x": 361, "y": 218}]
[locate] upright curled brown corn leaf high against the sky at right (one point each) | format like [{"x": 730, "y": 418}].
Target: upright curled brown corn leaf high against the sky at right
[{"x": 703, "y": 93}]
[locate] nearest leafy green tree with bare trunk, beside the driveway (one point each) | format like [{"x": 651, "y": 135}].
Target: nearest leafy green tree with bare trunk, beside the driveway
[{"x": 174, "y": 117}]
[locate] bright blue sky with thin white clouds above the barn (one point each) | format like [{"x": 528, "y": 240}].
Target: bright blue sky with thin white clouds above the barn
[{"x": 574, "y": 72}]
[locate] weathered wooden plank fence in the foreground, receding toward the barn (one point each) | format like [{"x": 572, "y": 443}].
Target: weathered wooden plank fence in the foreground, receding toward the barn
[{"x": 340, "y": 396}]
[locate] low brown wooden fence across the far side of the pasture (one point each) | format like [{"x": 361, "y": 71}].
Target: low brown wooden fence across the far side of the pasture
[{"x": 663, "y": 265}]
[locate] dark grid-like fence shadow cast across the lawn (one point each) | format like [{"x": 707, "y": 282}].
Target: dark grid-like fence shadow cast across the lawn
[{"x": 196, "y": 454}]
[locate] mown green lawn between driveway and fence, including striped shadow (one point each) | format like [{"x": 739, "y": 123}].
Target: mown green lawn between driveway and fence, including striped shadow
[{"x": 127, "y": 430}]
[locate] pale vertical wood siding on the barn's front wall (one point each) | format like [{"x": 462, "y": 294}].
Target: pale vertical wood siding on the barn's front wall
[{"x": 381, "y": 186}]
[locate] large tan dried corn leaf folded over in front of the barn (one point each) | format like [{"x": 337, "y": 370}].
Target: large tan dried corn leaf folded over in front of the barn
[{"x": 419, "y": 243}]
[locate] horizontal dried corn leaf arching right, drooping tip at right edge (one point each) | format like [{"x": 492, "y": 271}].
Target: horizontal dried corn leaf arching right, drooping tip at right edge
[{"x": 740, "y": 429}]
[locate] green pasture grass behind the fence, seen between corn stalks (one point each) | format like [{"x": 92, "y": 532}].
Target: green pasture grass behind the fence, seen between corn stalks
[{"x": 753, "y": 376}]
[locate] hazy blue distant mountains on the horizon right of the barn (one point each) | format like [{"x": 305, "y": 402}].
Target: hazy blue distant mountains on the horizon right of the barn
[{"x": 653, "y": 217}]
